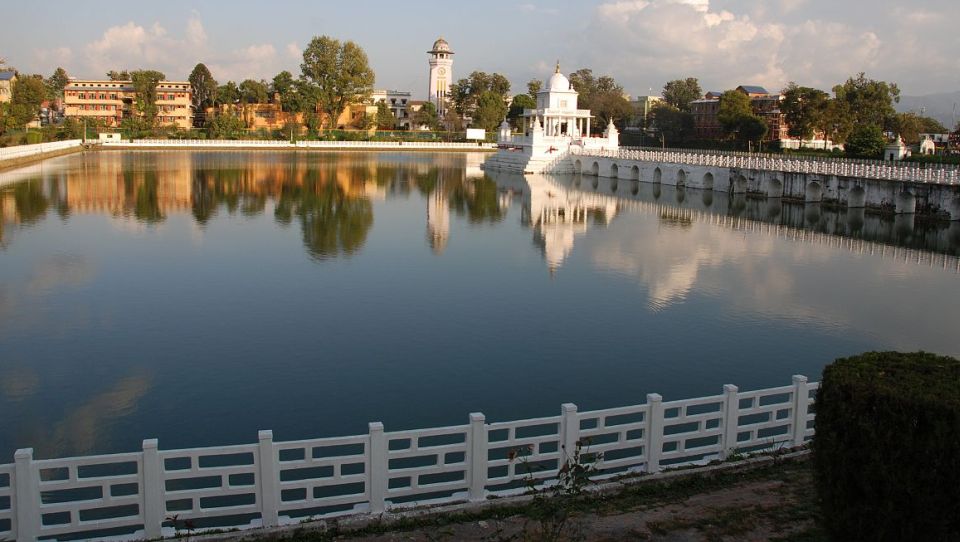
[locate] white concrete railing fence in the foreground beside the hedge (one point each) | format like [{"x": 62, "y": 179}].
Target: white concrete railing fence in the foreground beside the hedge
[{"x": 153, "y": 492}]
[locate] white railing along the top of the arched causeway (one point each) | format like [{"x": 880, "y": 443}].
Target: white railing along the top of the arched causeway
[{"x": 864, "y": 169}]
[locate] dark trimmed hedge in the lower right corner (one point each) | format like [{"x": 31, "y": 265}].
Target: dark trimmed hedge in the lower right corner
[{"x": 886, "y": 451}]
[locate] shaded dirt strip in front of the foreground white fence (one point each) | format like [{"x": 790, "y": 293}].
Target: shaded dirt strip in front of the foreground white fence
[{"x": 771, "y": 502}]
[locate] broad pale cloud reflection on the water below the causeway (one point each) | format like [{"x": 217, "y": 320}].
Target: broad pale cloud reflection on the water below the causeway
[{"x": 839, "y": 291}]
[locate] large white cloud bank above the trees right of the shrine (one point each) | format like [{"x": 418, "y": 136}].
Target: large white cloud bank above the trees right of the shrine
[{"x": 648, "y": 42}]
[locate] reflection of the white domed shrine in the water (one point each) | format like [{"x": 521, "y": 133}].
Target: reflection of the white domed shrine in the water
[{"x": 558, "y": 215}]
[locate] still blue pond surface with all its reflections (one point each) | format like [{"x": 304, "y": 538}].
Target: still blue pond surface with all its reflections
[{"x": 197, "y": 297}]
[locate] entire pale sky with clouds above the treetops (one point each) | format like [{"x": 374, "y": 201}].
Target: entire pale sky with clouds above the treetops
[{"x": 641, "y": 43}]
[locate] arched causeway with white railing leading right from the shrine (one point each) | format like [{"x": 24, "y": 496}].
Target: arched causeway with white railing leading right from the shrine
[{"x": 900, "y": 188}]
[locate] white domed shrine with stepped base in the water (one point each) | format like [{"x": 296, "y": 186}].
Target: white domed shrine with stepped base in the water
[{"x": 549, "y": 133}]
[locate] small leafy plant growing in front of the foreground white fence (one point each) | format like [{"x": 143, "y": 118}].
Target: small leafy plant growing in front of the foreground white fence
[{"x": 553, "y": 505}]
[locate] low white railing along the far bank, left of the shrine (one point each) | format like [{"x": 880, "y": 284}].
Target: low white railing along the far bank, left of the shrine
[{"x": 334, "y": 145}]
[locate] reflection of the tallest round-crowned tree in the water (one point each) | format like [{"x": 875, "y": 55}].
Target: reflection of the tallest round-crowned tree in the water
[{"x": 334, "y": 223}]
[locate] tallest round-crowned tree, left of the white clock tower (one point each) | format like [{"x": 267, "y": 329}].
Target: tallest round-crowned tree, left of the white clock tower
[{"x": 339, "y": 73}]
